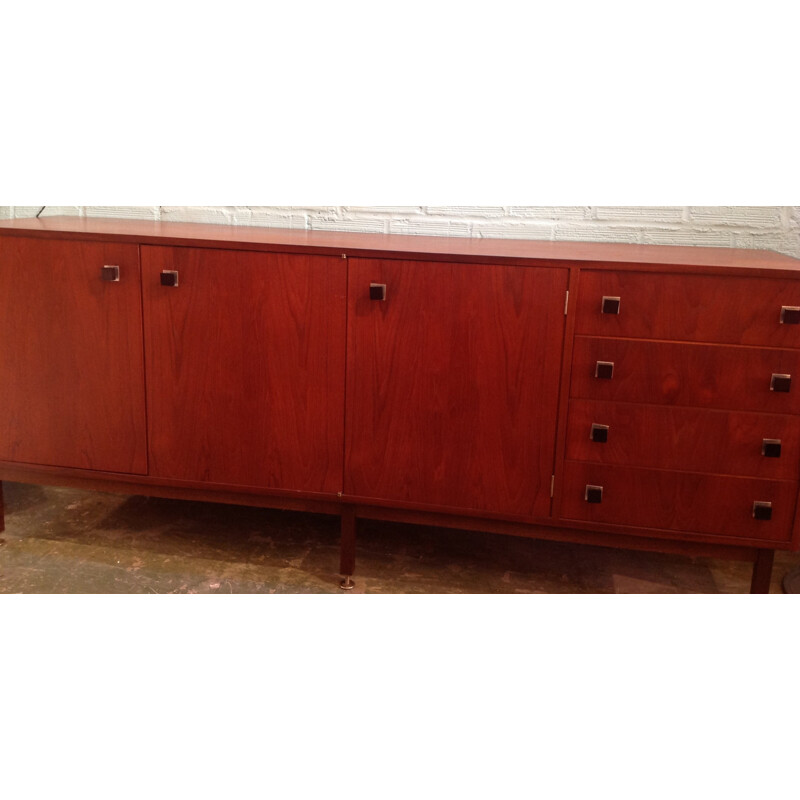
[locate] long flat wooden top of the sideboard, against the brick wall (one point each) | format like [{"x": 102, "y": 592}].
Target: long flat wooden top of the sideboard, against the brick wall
[{"x": 394, "y": 245}]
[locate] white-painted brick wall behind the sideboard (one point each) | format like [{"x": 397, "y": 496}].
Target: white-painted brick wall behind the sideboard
[{"x": 761, "y": 227}]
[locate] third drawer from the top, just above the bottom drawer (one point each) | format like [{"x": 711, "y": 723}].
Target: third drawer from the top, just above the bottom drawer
[{"x": 688, "y": 439}]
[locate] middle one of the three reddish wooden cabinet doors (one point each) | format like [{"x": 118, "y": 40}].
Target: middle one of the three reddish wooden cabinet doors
[{"x": 245, "y": 360}]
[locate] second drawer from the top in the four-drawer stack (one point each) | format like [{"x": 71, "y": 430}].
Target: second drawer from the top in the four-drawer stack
[{"x": 705, "y": 376}]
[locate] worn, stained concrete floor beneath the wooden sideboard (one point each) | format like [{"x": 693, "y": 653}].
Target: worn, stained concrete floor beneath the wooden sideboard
[{"x": 70, "y": 541}]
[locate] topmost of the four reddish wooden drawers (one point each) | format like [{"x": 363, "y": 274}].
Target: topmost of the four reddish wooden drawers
[{"x": 696, "y": 308}]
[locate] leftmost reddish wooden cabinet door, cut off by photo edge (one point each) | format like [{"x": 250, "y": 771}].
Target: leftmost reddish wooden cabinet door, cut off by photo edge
[{"x": 71, "y": 383}]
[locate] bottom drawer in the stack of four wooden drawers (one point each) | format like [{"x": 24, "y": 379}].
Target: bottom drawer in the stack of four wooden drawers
[{"x": 679, "y": 501}]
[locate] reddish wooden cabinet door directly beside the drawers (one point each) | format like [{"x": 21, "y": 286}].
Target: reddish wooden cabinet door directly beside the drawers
[{"x": 452, "y": 385}]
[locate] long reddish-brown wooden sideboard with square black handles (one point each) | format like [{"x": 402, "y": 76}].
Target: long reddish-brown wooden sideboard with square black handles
[{"x": 635, "y": 396}]
